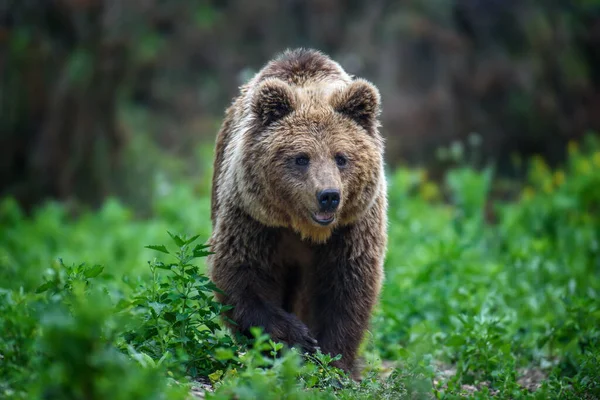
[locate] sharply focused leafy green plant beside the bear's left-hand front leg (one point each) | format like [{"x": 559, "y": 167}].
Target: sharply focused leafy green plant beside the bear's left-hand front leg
[{"x": 180, "y": 314}]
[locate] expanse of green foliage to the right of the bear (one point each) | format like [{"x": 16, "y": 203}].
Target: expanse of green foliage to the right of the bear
[{"x": 497, "y": 300}]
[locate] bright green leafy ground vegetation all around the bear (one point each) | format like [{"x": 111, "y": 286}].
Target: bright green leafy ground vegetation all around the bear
[{"x": 472, "y": 306}]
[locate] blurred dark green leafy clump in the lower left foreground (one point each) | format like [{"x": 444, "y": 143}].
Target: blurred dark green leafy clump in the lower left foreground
[{"x": 79, "y": 358}]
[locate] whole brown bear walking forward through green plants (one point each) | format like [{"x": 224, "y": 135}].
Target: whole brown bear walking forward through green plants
[{"x": 299, "y": 205}]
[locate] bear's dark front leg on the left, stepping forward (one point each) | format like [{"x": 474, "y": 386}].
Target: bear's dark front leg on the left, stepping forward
[{"x": 241, "y": 267}]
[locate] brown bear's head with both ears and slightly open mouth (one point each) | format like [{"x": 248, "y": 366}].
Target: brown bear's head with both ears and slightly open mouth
[{"x": 313, "y": 159}]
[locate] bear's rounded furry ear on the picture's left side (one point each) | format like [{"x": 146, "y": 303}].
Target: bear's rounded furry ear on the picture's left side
[{"x": 273, "y": 100}]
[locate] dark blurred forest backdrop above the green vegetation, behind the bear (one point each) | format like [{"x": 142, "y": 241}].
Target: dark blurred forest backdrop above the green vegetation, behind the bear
[{"x": 89, "y": 87}]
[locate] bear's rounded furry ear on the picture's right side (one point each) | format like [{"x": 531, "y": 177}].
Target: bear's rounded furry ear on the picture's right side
[{"x": 359, "y": 101}]
